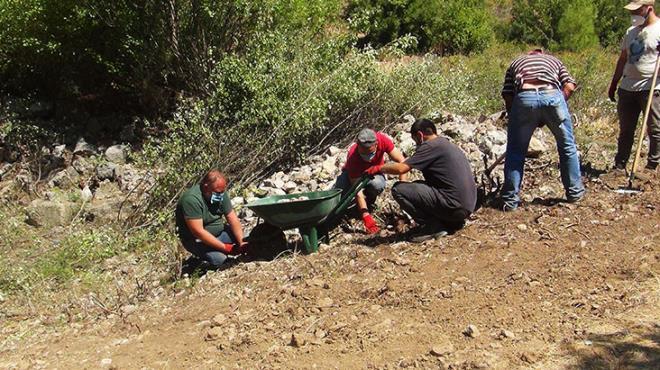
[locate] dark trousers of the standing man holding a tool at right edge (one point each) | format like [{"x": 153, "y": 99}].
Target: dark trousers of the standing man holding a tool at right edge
[{"x": 631, "y": 105}]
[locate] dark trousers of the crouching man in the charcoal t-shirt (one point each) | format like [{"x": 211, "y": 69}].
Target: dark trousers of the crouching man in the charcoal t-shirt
[{"x": 427, "y": 204}]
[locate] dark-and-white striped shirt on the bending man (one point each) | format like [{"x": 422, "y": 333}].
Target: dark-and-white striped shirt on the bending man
[{"x": 541, "y": 67}]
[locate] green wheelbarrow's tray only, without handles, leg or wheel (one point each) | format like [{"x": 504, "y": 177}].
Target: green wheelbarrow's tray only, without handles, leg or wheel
[{"x": 284, "y": 212}]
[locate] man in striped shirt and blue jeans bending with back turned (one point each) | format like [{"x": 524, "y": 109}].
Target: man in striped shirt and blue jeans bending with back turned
[{"x": 535, "y": 91}]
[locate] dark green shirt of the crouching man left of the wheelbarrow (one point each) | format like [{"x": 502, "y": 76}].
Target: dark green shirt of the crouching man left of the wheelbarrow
[{"x": 193, "y": 205}]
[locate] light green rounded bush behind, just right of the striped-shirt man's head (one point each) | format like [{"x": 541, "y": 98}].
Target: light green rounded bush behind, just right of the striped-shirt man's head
[{"x": 576, "y": 27}]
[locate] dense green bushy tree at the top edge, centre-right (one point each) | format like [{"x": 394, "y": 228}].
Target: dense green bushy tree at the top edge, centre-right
[{"x": 446, "y": 26}]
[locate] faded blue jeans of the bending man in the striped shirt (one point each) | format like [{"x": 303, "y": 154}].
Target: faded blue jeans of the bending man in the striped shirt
[{"x": 531, "y": 109}]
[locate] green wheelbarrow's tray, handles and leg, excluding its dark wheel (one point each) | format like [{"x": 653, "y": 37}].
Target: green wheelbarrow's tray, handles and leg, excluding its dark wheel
[{"x": 314, "y": 214}]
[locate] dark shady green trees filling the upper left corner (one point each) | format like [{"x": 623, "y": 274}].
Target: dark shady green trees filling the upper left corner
[{"x": 140, "y": 49}]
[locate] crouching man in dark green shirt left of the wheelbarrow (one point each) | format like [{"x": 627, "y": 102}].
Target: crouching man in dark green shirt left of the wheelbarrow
[{"x": 199, "y": 221}]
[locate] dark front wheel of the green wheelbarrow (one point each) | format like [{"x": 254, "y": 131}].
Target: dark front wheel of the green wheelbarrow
[{"x": 266, "y": 242}]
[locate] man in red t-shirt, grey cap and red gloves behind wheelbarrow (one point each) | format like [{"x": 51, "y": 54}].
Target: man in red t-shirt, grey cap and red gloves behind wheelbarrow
[{"x": 369, "y": 150}]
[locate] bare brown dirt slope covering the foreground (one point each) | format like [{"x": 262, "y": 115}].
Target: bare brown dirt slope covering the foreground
[{"x": 548, "y": 286}]
